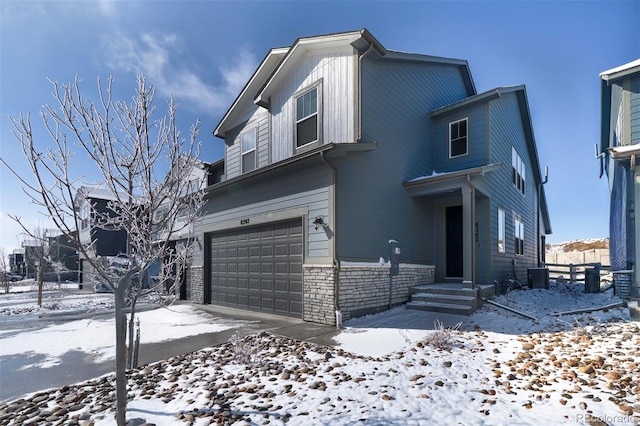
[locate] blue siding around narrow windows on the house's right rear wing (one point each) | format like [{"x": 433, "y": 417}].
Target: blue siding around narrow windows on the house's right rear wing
[{"x": 506, "y": 131}]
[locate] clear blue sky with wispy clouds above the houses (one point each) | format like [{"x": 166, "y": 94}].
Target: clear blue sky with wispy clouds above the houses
[{"x": 202, "y": 52}]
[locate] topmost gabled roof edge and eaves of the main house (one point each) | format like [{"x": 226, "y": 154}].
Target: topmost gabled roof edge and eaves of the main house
[{"x": 275, "y": 68}]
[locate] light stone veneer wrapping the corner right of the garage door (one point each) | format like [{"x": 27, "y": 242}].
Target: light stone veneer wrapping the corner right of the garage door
[{"x": 364, "y": 289}]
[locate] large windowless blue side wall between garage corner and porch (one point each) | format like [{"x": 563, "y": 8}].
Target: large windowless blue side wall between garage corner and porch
[{"x": 373, "y": 206}]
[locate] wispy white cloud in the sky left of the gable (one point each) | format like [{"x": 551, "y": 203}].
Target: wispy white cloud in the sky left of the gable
[{"x": 159, "y": 57}]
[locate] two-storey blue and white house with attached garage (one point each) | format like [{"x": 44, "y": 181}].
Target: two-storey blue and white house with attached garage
[{"x": 340, "y": 152}]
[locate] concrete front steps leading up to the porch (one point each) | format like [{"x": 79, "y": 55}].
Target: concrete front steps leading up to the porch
[{"x": 449, "y": 298}]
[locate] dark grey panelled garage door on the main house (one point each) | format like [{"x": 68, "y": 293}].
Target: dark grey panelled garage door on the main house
[{"x": 259, "y": 268}]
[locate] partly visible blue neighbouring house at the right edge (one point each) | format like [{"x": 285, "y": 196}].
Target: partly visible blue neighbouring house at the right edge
[{"x": 620, "y": 148}]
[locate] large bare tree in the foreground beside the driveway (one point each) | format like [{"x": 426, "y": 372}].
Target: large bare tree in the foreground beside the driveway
[{"x": 145, "y": 165}]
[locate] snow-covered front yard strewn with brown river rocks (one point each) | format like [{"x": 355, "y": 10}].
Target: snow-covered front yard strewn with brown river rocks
[{"x": 498, "y": 368}]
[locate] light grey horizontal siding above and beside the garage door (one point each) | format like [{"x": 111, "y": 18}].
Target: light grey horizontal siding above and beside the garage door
[{"x": 306, "y": 191}]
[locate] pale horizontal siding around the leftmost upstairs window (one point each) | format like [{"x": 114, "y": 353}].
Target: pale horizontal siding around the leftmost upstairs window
[{"x": 257, "y": 118}]
